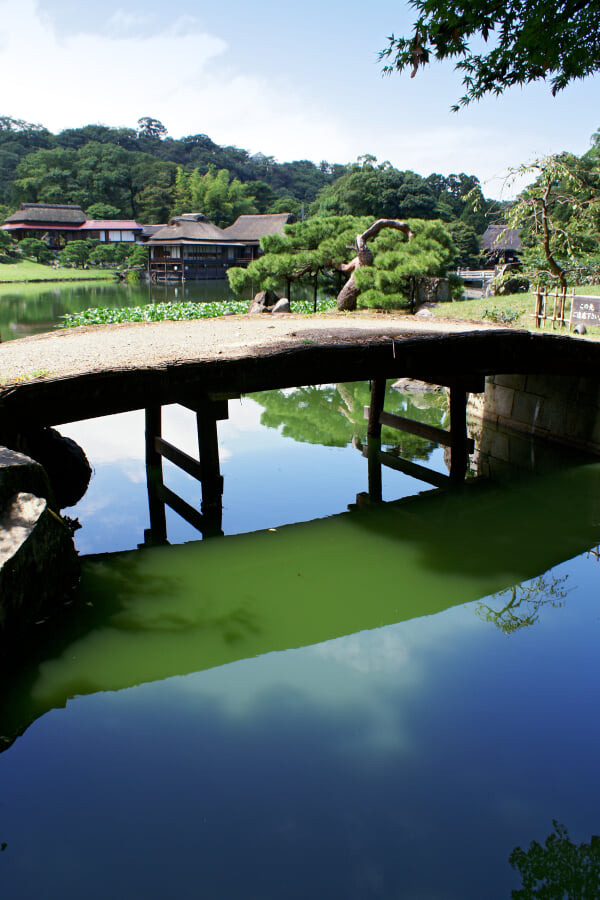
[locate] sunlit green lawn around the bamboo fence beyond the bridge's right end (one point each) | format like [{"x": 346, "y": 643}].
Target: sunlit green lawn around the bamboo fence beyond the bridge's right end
[{"x": 513, "y": 309}]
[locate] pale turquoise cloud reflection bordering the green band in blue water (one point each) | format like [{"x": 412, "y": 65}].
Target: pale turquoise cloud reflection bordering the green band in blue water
[{"x": 376, "y": 677}]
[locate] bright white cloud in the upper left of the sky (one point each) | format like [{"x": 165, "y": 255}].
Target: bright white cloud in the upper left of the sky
[{"x": 77, "y": 79}]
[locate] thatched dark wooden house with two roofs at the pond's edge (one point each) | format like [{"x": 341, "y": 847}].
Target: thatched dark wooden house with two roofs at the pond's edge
[{"x": 191, "y": 248}]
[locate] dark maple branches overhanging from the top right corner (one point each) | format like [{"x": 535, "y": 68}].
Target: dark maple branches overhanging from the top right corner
[{"x": 529, "y": 40}]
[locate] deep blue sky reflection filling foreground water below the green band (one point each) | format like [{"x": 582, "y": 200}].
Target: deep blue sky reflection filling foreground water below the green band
[{"x": 405, "y": 761}]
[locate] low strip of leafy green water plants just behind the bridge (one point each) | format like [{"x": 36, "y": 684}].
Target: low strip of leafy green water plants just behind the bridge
[{"x": 159, "y": 312}]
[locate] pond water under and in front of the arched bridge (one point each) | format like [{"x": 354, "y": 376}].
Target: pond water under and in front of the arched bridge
[{"x": 335, "y": 699}]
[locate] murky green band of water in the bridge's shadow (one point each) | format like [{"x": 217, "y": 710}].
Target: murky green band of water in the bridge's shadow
[{"x": 174, "y": 610}]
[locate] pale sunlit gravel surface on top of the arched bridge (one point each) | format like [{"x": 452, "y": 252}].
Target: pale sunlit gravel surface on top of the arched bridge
[{"x": 95, "y": 348}]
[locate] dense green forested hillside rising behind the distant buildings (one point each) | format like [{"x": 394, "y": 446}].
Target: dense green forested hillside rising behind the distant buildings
[{"x": 145, "y": 174}]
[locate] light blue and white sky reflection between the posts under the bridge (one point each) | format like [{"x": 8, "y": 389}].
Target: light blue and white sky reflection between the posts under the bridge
[{"x": 269, "y": 479}]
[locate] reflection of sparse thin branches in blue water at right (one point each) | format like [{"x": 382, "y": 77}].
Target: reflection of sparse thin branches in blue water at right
[{"x": 524, "y": 602}]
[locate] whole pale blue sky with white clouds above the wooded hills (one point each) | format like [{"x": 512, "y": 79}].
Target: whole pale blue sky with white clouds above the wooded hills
[{"x": 294, "y": 81}]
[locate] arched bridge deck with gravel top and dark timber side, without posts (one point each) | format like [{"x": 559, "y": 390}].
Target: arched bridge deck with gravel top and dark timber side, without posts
[{"x": 80, "y": 373}]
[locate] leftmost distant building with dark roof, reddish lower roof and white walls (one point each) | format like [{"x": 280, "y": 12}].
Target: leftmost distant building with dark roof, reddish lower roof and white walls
[{"x": 57, "y": 224}]
